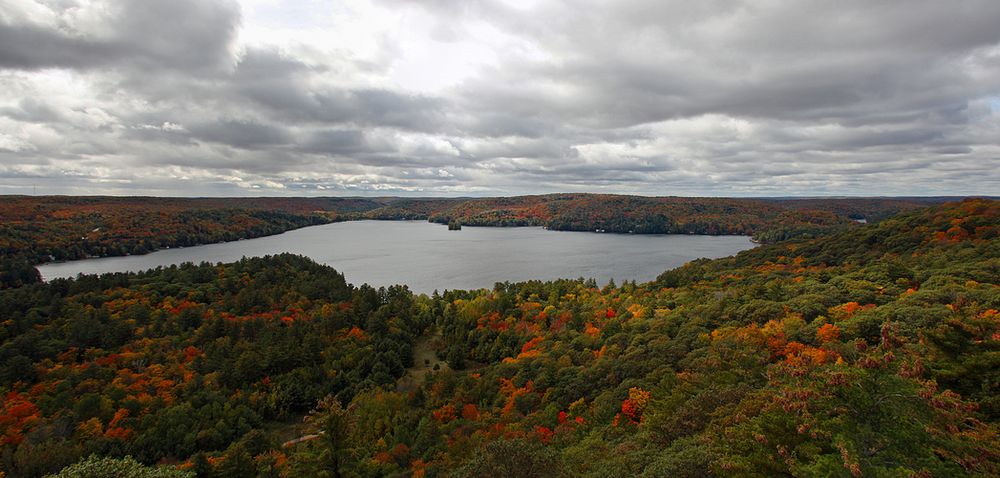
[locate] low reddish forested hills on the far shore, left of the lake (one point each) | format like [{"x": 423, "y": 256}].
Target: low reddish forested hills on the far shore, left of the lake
[{"x": 34, "y": 230}]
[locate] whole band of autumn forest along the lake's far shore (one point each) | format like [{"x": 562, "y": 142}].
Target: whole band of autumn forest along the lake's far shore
[{"x": 38, "y": 229}]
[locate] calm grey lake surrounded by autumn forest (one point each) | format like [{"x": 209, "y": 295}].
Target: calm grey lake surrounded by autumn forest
[{"x": 428, "y": 256}]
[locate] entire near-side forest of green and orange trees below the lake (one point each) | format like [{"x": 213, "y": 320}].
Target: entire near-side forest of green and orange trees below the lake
[{"x": 872, "y": 351}]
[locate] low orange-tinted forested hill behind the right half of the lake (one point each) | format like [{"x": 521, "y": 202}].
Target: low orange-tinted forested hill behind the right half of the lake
[{"x": 767, "y": 220}]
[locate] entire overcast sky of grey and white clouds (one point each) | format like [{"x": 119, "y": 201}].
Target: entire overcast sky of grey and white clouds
[{"x": 476, "y": 97}]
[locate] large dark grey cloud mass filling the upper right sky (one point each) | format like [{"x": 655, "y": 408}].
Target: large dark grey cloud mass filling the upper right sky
[{"x": 651, "y": 61}]
